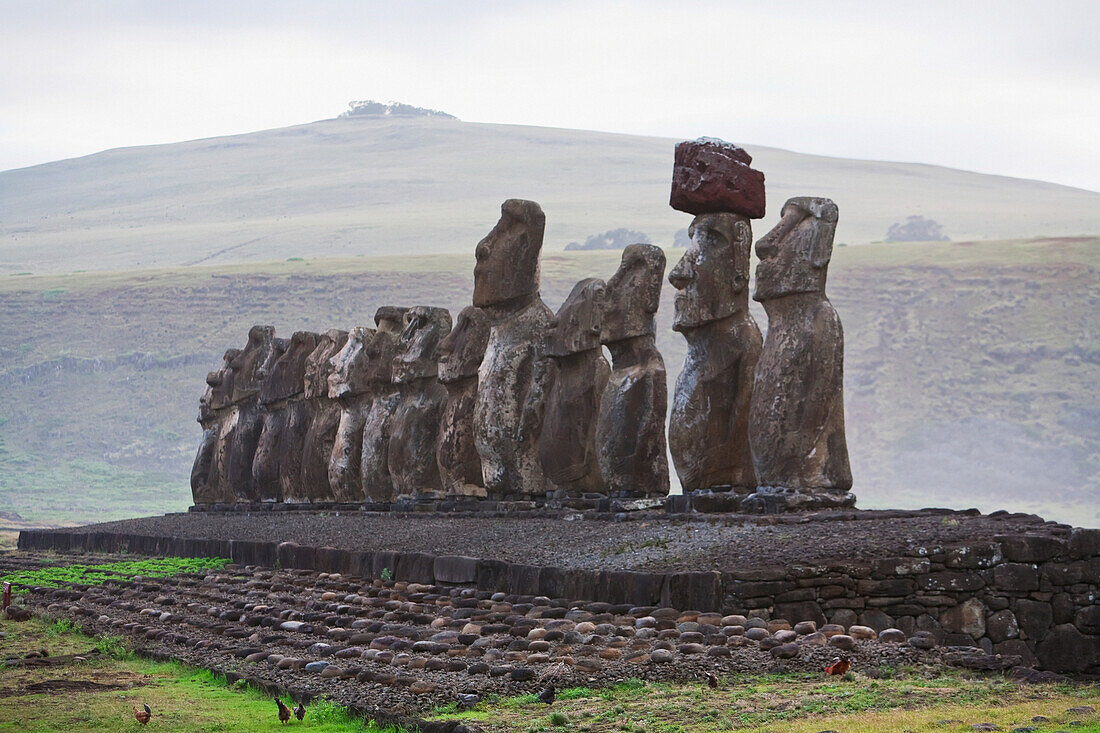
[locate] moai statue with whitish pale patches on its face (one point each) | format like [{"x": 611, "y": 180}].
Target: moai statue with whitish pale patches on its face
[{"x": 350, "y": 387}]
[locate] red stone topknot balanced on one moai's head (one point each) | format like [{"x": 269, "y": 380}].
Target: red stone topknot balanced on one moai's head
[{"x": 712, "y": 177}]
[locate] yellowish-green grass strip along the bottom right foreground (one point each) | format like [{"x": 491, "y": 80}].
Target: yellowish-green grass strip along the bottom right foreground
[{"x": 911, "y": 699}]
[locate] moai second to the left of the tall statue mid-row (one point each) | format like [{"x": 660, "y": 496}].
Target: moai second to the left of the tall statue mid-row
[{"x": 415, "y": 429}]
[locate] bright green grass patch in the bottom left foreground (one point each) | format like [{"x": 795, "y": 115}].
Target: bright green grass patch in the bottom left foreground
[{"x": 183, "y": 698}]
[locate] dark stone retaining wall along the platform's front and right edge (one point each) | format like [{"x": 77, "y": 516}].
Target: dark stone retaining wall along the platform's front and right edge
[{"x": 1037, "y": 597}]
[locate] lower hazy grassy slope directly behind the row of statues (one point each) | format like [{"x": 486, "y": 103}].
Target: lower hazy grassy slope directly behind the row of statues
[{"x": 971, "y": 375}]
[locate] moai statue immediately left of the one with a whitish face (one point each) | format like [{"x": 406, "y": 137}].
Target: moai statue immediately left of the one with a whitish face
[{"x": 324, "y": 420}]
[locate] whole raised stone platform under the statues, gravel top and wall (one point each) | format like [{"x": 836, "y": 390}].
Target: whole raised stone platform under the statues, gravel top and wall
[{"x": 1009, "y": 584}]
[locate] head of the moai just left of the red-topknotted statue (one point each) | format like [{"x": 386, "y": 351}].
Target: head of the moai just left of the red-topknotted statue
[{"x": 634, "y": 294}]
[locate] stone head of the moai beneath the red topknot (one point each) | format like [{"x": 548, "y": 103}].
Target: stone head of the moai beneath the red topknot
[{"x": 714, "y": 272}]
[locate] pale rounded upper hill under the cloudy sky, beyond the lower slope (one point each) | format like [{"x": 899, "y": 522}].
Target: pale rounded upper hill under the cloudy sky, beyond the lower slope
[{"x": 377, "y": 187}]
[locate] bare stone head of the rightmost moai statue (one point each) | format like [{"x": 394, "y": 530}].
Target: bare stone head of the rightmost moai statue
[{"x": 795, "y": 255}]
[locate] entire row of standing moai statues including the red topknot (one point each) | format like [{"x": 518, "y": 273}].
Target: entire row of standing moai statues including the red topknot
[{"x": 518, "y": 402}]
